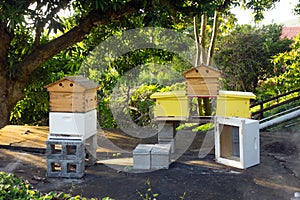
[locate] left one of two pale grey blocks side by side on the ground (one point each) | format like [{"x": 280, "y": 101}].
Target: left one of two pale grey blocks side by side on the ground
[{"x": 142, "y": 156}]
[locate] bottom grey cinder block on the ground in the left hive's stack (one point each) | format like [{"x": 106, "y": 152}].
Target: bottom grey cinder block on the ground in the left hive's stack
[{"x": 65, "y": 168}]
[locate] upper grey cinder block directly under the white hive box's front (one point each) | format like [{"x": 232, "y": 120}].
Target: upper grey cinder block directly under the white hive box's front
[{"x": 65, "y": 149}]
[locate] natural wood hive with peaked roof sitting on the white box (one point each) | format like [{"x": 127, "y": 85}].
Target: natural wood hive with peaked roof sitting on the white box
[{"x": 73, "y": 94}]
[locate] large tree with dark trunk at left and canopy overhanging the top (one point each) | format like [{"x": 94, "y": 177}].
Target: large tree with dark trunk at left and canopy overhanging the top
[{"x": 25, "y": 27}]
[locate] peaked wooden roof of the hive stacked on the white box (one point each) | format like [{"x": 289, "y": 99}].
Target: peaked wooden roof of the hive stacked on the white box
[{"x": 80, "y": 82}]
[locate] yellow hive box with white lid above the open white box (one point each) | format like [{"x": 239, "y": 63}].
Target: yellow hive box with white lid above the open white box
[{"x": 234, "y": 104}]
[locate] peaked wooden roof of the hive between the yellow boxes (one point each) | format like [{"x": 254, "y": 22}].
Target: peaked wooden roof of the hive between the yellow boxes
[{"x": 202, "y": 71}]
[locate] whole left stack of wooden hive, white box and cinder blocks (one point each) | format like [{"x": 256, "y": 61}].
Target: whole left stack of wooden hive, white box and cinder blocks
[{"x": 72, "y": 140}]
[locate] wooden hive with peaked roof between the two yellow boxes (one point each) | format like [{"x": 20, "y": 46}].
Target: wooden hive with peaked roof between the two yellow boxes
[{"x": 202, "y": 81}]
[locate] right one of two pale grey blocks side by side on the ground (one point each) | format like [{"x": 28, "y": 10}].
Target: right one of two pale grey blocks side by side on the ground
[{"x": 161, "y": 156}]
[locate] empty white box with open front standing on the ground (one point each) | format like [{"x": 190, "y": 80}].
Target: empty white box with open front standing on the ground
[{"x": 237, "y": 142}]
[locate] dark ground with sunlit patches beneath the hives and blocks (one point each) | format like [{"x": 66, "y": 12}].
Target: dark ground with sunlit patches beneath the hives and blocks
[{"x": 189, "y": 177}]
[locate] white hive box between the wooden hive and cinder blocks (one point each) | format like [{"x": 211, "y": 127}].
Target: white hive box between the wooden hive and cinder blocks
[{"x": 72, "y": 125}]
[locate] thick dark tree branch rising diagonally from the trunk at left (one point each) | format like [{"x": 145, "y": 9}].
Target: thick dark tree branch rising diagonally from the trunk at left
[{"x": 39, "y": 55}]
